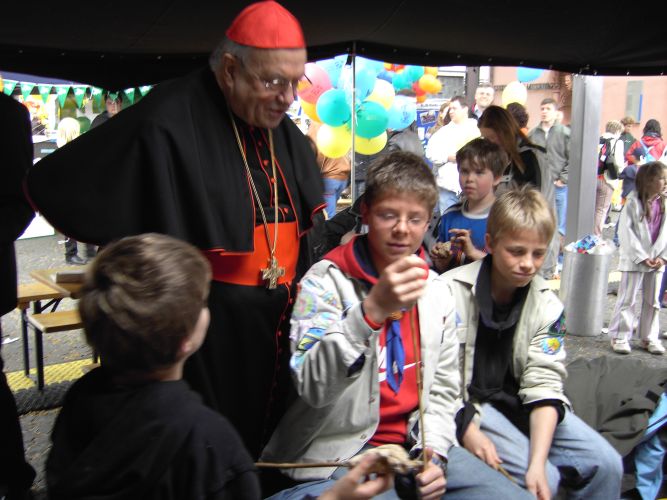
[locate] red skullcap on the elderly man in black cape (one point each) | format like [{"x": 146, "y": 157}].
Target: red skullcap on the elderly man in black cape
[{"x": 266, "y": 25}]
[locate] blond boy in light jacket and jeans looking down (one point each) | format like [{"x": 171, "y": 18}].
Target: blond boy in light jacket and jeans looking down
[{"x": 511, "y": 328}]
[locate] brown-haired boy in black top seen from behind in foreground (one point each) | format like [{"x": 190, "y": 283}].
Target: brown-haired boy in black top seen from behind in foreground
[{"x": 132, "y": 428}]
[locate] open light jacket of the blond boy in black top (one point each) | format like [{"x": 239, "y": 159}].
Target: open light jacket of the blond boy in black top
[{"x": 538, "y": 352}]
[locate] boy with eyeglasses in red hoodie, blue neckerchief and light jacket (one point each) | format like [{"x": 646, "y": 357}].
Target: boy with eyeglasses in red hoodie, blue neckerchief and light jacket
[{"x": 366, "y": 319}]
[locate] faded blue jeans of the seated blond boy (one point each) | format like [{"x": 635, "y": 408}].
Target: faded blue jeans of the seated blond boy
[{"x": 580, "y": 459}]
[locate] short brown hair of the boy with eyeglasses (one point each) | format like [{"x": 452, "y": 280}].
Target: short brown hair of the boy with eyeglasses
[{"x": 399, "y": 173}]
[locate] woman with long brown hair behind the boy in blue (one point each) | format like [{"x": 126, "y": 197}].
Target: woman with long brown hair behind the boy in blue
[{"x": 499, "y": 126}]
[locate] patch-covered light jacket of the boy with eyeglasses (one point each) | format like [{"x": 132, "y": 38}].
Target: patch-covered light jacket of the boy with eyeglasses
[{"x": 335, "y": 369}]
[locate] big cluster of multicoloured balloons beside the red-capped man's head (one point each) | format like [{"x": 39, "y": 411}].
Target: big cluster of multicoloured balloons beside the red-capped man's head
[{"x": 326, "y": 97}]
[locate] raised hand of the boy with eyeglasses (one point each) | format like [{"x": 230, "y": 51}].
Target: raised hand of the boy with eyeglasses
[{"x": 400, "y": 285}]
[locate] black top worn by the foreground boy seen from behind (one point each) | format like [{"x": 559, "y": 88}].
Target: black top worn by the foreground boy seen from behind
[{"x": 152, "y": 441}]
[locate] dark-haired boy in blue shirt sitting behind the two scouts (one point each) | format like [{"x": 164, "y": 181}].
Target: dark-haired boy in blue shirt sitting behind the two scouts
[{"x": 462, "y": 227}]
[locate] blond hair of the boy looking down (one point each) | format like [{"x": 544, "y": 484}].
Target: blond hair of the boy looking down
[{"x": 521, "y": 209}]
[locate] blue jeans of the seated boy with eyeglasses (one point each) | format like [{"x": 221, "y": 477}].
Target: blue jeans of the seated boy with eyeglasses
[{"x": 468, "y": 478}]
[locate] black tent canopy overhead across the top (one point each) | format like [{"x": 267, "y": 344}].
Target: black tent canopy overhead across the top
[{"x": 122, "y": 44}]
